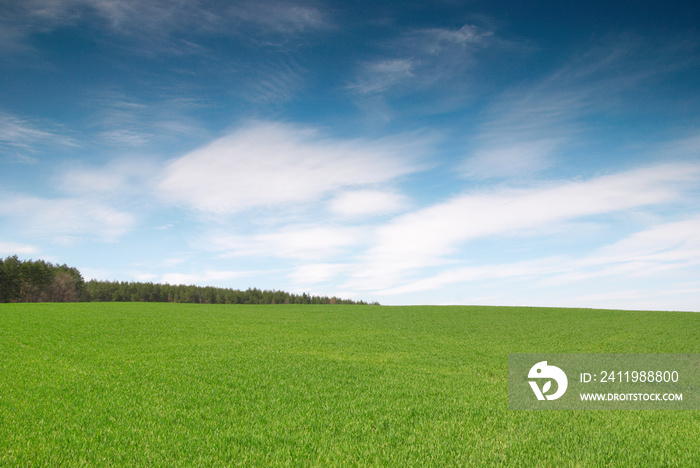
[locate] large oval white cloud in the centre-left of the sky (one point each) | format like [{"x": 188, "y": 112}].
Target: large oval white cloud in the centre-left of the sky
[{"x": 270, "y": 164}]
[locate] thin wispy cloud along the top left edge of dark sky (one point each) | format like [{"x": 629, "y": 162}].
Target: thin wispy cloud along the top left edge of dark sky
[{"x": 159, "y": 25}]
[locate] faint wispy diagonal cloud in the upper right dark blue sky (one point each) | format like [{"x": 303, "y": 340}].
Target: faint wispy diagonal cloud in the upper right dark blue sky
[{"x": 533, "y": 126}]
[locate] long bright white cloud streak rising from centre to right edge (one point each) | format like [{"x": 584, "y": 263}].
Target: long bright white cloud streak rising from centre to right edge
[{"x": 427, "y": 237}]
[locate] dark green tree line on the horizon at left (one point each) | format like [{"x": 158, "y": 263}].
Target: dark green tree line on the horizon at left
[{"x": 41, "y": 281}]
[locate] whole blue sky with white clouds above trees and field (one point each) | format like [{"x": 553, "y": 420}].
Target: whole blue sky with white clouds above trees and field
[{"x": 508, "y": 153}]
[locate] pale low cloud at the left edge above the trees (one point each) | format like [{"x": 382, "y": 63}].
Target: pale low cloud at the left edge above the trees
[{"x": 66, "y": 219}]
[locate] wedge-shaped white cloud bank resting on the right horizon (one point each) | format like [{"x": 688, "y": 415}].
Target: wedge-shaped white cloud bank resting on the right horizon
[{"x": 645, "y": 270}]
